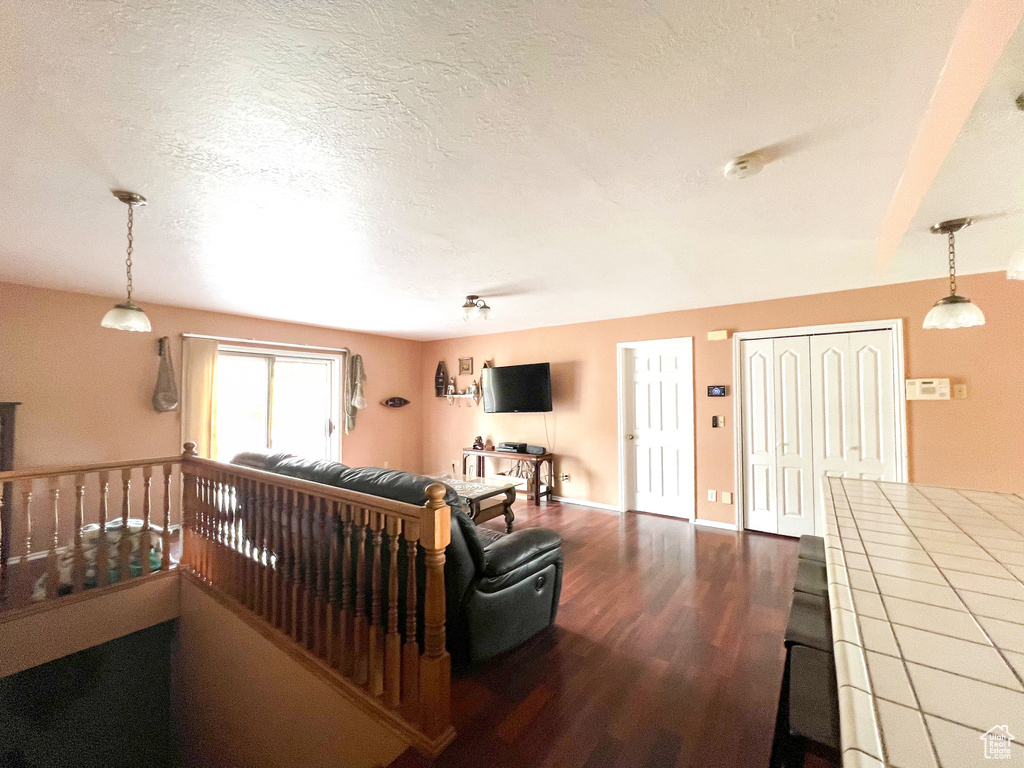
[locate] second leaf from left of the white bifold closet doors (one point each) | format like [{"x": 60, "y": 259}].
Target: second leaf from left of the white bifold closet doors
[{"x": 795, "y": 456}]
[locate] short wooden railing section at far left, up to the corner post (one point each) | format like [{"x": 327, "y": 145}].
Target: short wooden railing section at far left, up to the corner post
[{"x": 67, "y": 521}]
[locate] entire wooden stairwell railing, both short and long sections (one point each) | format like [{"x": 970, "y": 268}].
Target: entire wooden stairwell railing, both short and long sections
[{"x": 354, "y": 584}]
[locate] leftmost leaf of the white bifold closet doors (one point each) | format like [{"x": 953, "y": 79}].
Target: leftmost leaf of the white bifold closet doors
[{"x": 758, "y": 383}]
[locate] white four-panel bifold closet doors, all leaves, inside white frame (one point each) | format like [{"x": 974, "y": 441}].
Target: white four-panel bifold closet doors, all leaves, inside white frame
[{"x": 814, "y": 407}]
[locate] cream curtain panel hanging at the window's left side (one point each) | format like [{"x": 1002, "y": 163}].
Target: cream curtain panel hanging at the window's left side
[{"x": 199, "y": 403}]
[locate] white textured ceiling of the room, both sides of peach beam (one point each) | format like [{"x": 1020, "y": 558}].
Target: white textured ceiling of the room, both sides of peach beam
[{"x": 365, "y": 165}]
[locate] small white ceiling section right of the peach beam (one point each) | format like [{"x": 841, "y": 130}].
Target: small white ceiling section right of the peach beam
[{"x": 983, "y": 178}]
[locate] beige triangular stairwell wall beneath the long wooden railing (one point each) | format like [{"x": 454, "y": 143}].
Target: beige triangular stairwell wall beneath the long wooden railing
[{"x": 244, "y": 702}]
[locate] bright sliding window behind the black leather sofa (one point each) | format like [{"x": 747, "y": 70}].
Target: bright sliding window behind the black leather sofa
[{"x": 281, "y": 402}]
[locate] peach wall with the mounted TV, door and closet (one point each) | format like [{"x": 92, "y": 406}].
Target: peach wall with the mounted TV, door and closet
[{"x": 976, "y": 443}]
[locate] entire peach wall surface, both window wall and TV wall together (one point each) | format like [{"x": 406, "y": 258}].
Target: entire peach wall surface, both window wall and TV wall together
[{"x": 87, "y": 390}]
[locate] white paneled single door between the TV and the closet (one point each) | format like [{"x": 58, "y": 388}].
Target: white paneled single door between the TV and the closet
[{"x": 658, "y": 392}]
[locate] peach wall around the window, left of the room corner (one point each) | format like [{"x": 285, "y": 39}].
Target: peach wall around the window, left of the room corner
[{"x": 86, "y": 391}]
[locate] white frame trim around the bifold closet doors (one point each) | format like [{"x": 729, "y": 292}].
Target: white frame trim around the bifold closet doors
[{"x": 900, "y": 385}]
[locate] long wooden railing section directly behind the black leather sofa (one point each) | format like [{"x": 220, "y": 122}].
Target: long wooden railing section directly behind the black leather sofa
[{"x": 354, "y": 582}]
